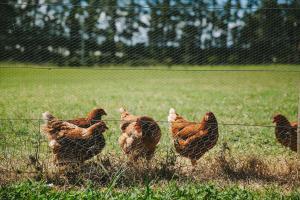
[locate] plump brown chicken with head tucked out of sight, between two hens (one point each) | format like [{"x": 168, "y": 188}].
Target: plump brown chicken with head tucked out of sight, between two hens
[{"x": 140, "y": 135}]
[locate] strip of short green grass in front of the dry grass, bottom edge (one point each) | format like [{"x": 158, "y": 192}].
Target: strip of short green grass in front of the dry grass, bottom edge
[{"x": 172, "y": 190}]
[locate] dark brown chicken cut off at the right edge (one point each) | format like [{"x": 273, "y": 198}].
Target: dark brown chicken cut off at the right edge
[{"x": 286, "y": 132}]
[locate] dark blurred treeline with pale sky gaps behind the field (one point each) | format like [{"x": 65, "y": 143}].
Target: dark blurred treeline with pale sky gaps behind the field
[{"x": 146, "y": 32}]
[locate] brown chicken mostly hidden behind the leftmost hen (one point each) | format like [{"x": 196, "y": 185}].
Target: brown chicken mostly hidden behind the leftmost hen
[{"x": 93, "y": 117}]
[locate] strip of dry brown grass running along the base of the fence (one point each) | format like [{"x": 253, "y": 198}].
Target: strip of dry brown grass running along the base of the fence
[{"x": 117, "y": 171}]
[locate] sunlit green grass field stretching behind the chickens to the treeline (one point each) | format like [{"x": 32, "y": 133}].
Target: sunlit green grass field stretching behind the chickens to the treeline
[{"x": 236, "y": 97}]
